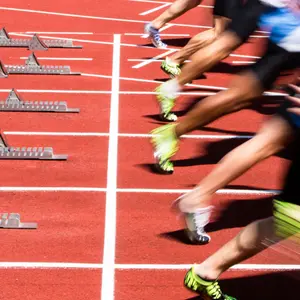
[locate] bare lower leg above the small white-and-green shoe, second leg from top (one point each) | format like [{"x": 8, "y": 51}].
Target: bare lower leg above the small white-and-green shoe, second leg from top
[{"x": 200, "y": 40}]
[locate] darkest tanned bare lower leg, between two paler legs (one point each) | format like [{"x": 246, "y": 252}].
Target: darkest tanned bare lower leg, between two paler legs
[{"x": 243, "y": 89}]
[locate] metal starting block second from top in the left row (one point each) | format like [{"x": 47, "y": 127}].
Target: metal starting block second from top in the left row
[{"x": 33, "y": 67}]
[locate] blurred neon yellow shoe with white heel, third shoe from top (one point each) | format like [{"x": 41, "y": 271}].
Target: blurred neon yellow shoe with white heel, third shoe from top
[{"x": 166, "y": 103}]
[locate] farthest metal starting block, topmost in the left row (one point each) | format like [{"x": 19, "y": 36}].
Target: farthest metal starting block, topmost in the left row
[{"x": 35, "y": 43}]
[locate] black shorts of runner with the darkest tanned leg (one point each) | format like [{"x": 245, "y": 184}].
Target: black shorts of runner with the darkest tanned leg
[{"x": 275, "y": 60}]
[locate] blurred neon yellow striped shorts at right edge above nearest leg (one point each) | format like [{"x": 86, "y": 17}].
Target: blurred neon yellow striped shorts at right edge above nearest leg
[{"x": 287, "y": 220}]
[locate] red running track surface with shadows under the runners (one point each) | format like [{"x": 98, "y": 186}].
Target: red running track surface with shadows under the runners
[{"x": 71, "y": 223}]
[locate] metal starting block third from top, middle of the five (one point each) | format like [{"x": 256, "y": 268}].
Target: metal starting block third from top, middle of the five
[{"x": 15, "y": 103}]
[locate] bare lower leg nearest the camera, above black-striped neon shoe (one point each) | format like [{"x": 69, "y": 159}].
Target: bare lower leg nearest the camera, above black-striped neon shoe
[{"x": 246, "y": 244}]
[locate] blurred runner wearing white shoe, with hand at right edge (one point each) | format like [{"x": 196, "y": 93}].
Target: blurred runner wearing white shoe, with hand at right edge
[{"x": 275, "y": 135}]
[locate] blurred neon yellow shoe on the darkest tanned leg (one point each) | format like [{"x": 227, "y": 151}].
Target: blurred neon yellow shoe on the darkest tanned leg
[{"x": 165, "y": 145}]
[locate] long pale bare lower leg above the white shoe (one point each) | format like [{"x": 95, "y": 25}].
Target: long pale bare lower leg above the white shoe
[{"x": 274, "y": 136}]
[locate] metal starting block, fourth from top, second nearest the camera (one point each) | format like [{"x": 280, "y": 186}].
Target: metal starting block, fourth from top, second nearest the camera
[{"x": 27, "y": 153}]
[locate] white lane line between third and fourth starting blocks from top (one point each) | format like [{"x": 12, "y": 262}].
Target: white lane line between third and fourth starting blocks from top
[{"x": 127, "y": 135}]
